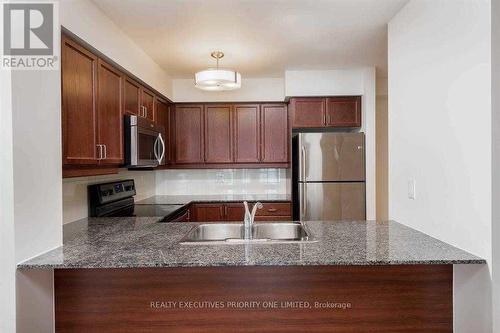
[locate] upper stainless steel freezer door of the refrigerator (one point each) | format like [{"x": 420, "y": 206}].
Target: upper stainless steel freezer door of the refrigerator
[{"x": 331, "y": 156}]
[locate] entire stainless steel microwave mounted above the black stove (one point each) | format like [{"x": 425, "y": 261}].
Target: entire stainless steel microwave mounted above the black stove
[{"x": 144, "y": 143}]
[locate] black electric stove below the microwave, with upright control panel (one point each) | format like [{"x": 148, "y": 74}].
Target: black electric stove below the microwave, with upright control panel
[{"x": 117, "y": 199}]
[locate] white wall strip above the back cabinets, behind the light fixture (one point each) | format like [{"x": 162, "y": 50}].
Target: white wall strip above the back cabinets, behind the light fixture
[{"x": 252, "y": 89}]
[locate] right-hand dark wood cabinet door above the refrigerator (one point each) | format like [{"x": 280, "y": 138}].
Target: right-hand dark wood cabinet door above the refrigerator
[{"x": 343, "y": 111}]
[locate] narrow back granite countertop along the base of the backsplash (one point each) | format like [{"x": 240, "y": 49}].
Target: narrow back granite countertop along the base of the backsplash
[{"x": 186, "y": 199}]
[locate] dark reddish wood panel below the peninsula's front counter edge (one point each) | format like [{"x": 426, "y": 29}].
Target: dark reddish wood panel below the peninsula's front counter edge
[{"x": 342, "y": 299}]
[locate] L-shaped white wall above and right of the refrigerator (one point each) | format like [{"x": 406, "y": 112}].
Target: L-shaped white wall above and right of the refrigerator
[{"x": 359, "y": 81}]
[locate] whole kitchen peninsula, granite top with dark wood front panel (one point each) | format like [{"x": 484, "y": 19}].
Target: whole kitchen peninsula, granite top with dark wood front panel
[{"x": 363, "y": 276}]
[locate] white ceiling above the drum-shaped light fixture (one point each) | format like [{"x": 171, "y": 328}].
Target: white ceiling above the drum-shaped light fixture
[{"x": 260, "y": 38}]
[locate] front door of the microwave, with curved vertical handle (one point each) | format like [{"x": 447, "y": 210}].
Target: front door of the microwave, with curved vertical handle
[{"x": 147, "y": 148}]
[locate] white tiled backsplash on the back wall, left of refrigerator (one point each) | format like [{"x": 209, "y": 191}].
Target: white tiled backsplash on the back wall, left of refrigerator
[{"x": 226, "y": 181}]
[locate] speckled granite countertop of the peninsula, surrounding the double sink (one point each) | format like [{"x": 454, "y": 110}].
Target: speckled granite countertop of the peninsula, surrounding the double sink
[{"x": 143, "y": 242}]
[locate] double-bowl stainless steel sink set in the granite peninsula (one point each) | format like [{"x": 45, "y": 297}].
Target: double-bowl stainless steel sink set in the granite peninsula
[{"x": 229, "y": 233}]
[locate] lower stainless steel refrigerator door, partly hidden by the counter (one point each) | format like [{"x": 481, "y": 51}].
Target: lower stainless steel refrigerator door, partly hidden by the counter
[{"x": 332, "y": 201}]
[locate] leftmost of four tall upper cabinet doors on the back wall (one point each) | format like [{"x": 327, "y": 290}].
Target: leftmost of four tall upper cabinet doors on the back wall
[{"x": 188, "y": 125}]
